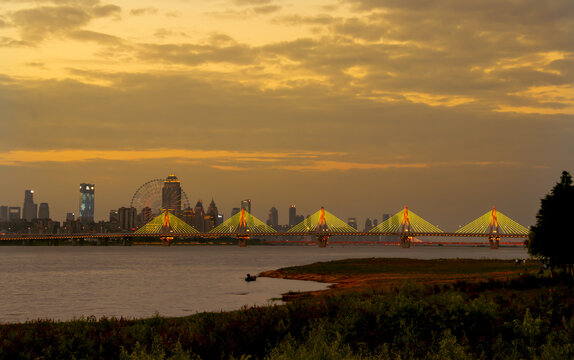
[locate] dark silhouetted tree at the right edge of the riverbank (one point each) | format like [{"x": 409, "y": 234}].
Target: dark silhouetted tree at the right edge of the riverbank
[{"x": 550, "y": 239}]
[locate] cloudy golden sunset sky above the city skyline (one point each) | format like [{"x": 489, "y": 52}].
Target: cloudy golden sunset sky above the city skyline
[{"x": 362, "y": 106}]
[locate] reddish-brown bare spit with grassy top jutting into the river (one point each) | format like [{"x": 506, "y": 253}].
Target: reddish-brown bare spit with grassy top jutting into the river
[{"x": 383, "y": 274}]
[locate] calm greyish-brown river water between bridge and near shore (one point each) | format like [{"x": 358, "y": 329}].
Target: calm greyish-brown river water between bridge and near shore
[{"x": 69, "y": 282}]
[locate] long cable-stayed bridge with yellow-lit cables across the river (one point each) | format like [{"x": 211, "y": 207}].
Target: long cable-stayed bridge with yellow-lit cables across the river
[{"x": 405, "y": 226}]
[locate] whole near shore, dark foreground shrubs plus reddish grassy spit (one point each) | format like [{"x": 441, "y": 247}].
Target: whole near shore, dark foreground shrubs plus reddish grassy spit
[{"x": 375, "y": 309}]
